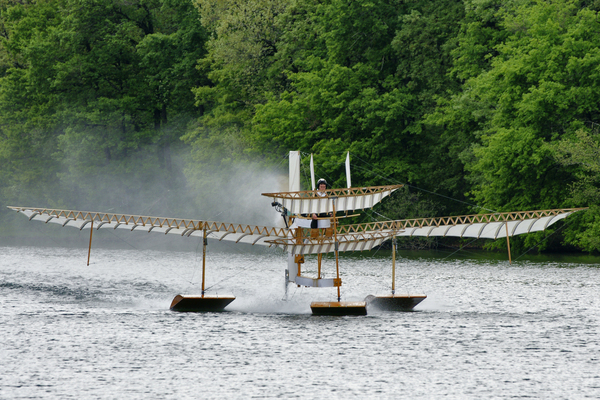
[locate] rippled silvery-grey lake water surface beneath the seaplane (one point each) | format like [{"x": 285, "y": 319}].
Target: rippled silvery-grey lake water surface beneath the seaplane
[{"x": 487, "y": 329}]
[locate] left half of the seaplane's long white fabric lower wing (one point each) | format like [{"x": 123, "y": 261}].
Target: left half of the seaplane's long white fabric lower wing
[{"x": 238, "y": 233}]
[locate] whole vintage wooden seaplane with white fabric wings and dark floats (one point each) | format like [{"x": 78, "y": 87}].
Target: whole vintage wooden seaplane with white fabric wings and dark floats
[{"x": 312, "y": 225}]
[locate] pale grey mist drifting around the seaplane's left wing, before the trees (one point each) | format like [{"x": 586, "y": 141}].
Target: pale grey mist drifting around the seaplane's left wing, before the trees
[{"x": 143, "y": 184}]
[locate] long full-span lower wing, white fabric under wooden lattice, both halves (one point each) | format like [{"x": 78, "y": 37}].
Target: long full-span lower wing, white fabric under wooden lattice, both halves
[{"x": 350, "y": 237}]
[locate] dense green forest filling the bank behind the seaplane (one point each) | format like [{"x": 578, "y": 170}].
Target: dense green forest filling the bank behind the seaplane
[{"x": 153, "y": 107}]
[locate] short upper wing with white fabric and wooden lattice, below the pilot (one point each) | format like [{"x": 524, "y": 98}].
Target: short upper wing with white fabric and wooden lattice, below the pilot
[{"x": 310, "y": 202}]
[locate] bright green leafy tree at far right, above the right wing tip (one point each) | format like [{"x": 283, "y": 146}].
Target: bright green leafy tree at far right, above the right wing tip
[{"x": 539, "y": 87}]
